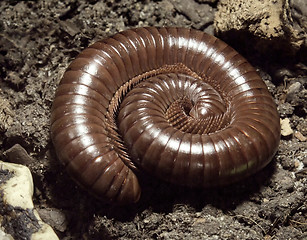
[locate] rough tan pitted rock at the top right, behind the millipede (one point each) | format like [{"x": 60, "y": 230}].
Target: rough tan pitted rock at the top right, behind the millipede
[{"x": 271, "y": 21}]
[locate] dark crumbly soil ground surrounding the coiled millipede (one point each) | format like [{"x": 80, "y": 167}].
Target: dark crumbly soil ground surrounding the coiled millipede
[{"x": 38, "y": 39}]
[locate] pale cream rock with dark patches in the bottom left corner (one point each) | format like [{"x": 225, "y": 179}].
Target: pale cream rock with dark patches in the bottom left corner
[{"x": 19, "y": 219}]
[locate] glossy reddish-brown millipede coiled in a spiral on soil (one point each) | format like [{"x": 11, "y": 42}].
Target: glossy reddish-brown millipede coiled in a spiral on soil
[{"x": 176, "y": 103}]
